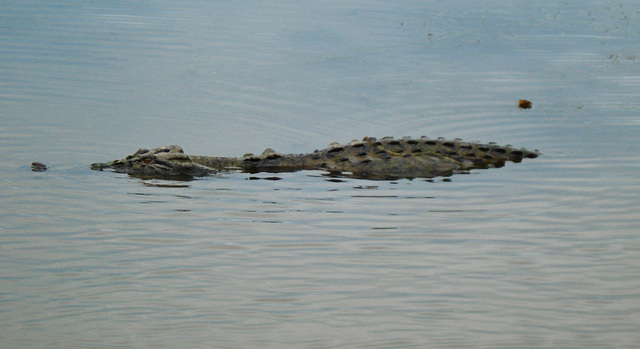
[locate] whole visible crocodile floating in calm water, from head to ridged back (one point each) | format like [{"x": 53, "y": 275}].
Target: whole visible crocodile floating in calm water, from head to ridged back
[{"x": 387, "y": 158}]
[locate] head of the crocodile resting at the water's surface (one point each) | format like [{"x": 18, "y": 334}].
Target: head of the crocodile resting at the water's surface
[{"x": 163, "y": 162}]
